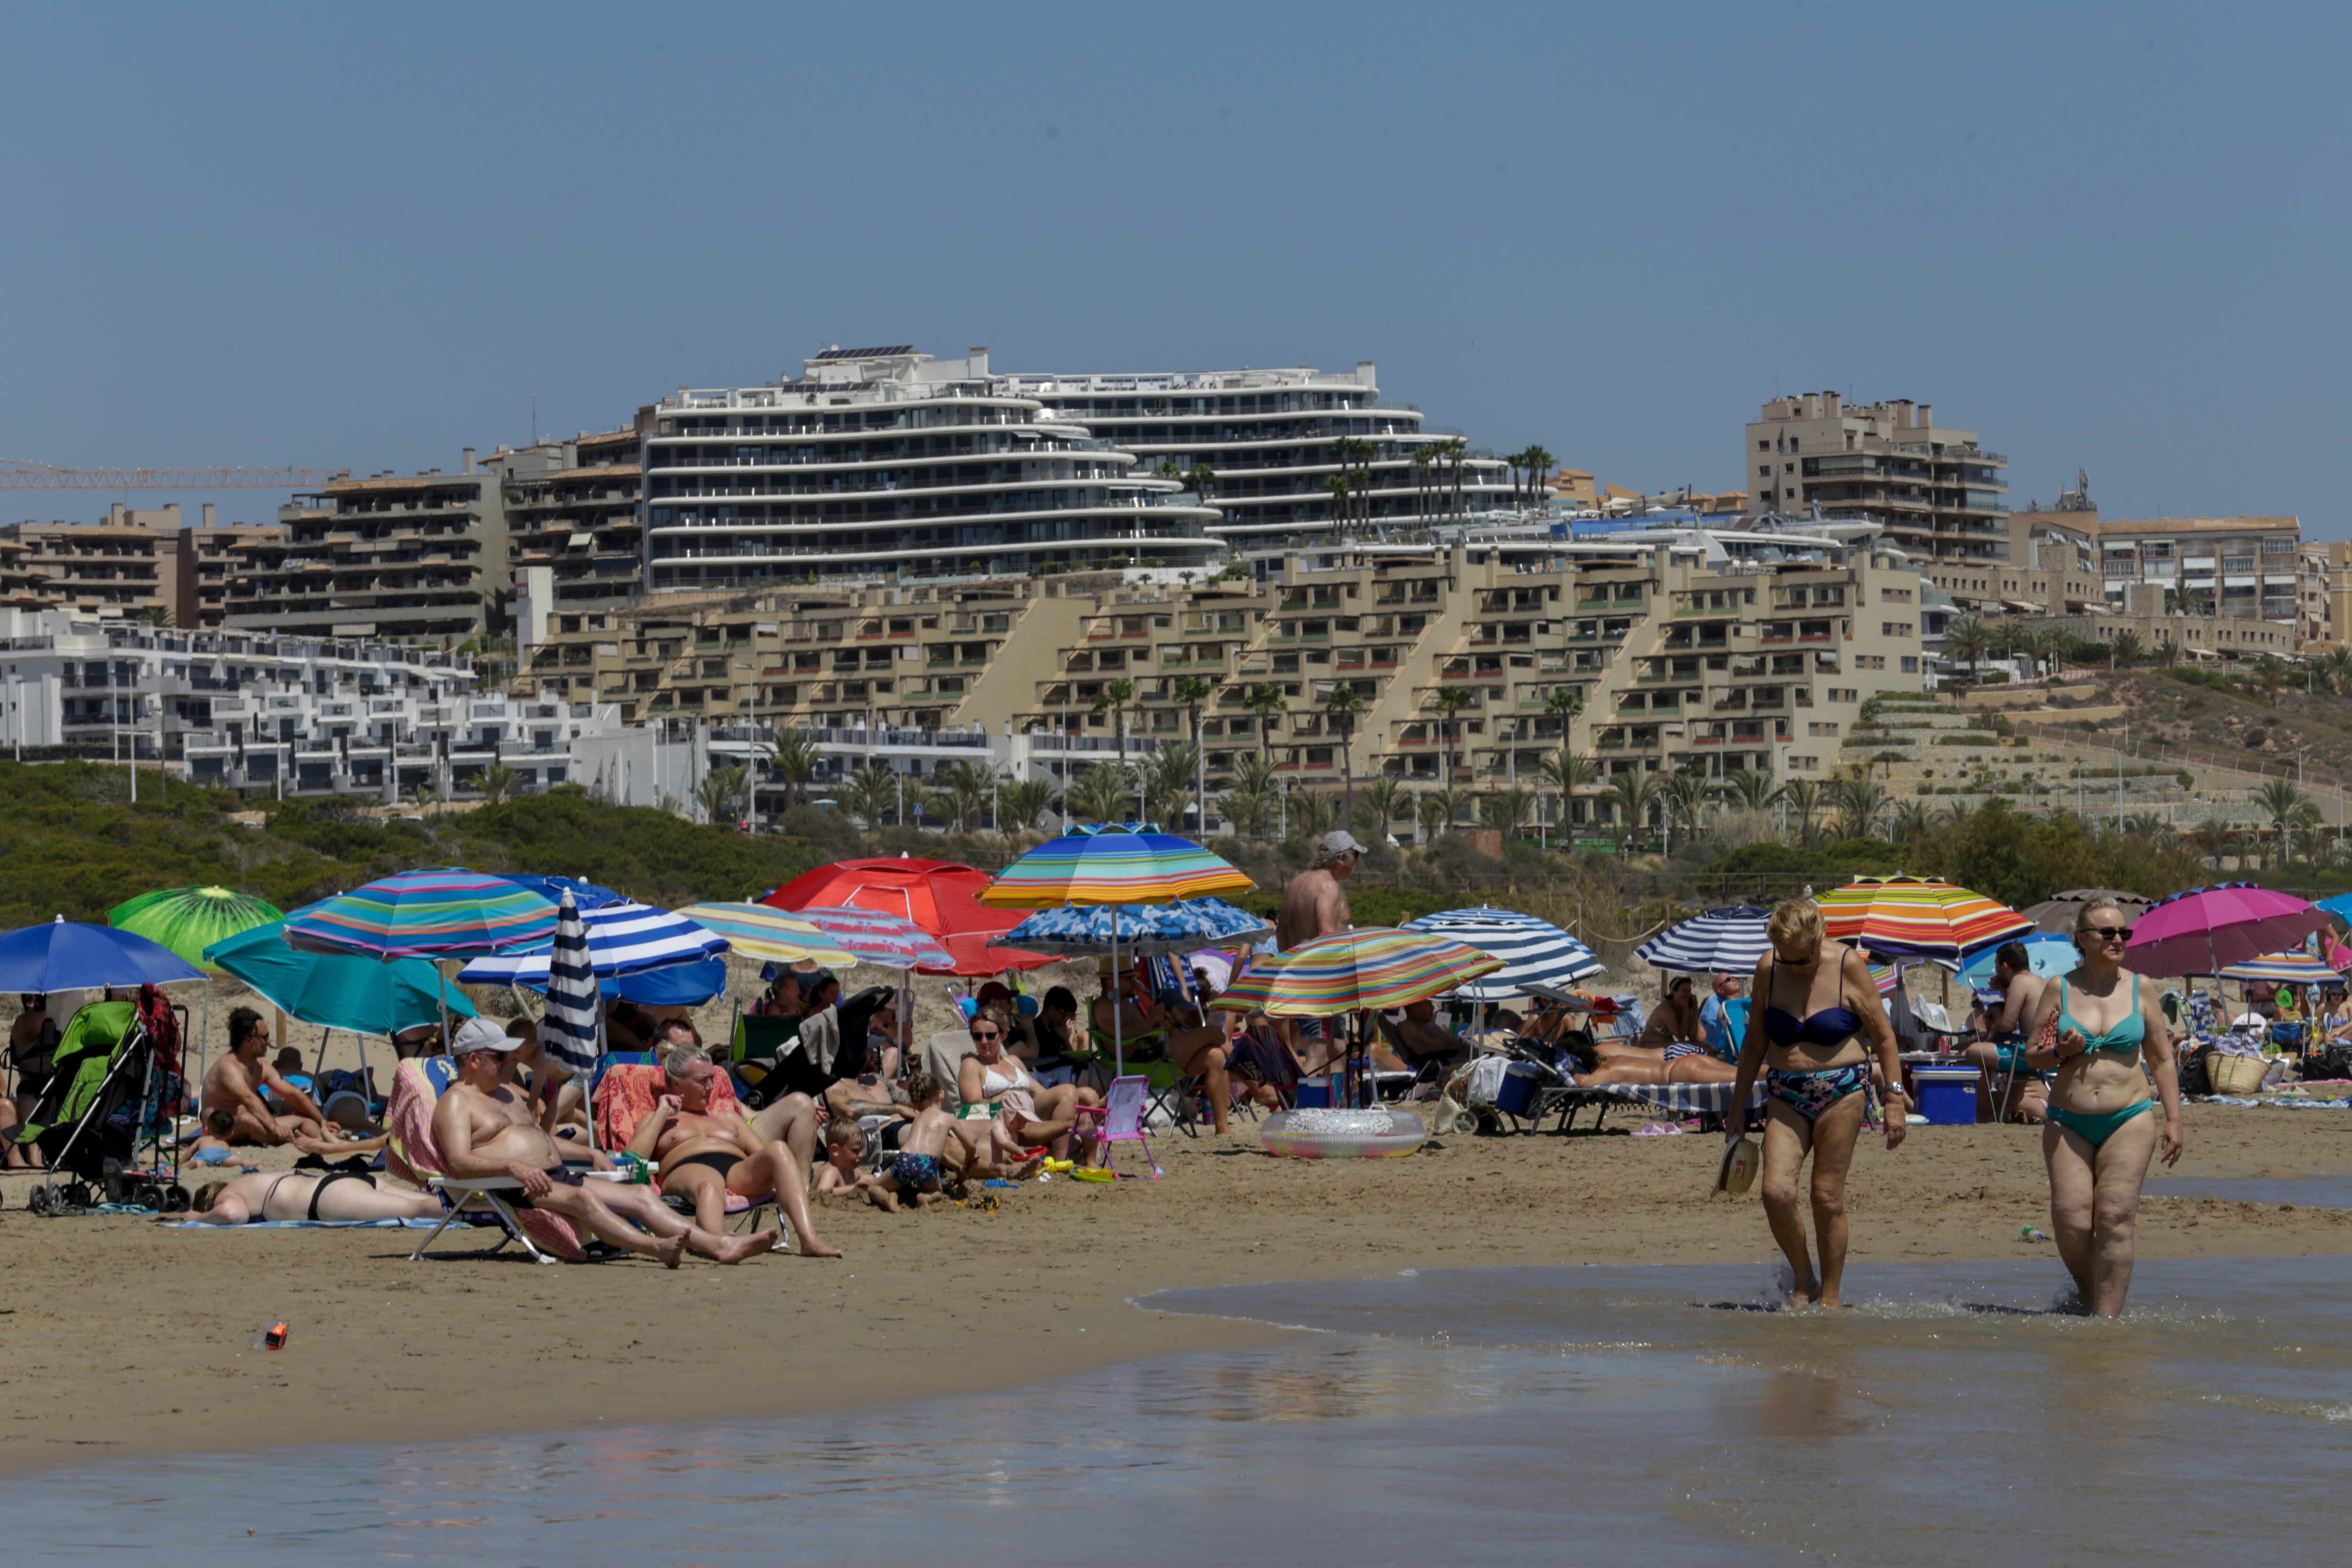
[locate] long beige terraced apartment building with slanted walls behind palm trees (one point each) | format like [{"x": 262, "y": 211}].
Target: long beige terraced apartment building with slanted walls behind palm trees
[{"x": 1685, "y": 648}]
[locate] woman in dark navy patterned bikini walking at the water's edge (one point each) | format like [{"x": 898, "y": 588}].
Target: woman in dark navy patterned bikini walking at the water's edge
[{"x": 1815, "y": 1007}]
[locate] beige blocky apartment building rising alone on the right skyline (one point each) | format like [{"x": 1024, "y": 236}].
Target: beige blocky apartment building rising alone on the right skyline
[{"x": 1935, "y": 488}]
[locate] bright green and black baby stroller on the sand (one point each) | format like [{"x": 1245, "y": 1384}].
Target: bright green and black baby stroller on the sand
[{"x": 102, "y": 1104}]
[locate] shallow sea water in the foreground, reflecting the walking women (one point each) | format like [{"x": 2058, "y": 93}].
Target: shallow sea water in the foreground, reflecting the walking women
[{"x": 1575, "y": 1414}]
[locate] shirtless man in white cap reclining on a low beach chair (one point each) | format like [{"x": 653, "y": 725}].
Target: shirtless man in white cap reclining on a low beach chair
[{"x": 483, "y": 1127}]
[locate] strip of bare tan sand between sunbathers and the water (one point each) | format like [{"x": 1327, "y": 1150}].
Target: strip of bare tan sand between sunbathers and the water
[{"x": 116, "y": 1348}]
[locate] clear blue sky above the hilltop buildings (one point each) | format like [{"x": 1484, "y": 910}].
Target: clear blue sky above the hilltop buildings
[{"x": 2104, "y": 236}]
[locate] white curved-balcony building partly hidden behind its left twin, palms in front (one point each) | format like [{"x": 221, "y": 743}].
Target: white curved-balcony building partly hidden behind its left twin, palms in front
[{"x": 1271, "y": 443}]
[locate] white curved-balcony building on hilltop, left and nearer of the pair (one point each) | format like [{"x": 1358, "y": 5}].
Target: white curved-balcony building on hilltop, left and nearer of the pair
[{"x": 886, "y": 462}]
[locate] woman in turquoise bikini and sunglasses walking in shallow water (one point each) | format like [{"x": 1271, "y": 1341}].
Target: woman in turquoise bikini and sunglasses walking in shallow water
[{"x": 2102, "y": 1118}]
